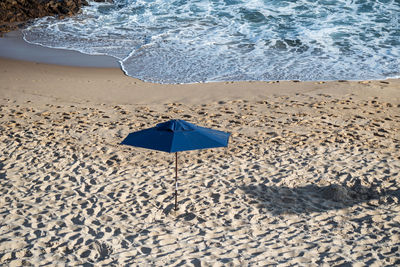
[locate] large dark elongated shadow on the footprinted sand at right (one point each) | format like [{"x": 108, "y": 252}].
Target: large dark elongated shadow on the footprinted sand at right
[{"x": 312, "y": 198}]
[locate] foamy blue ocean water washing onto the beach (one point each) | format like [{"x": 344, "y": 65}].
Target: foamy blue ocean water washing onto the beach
[{"x": 183, "y": 41}]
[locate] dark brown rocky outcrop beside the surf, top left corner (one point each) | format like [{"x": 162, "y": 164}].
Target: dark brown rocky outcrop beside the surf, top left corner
[{"x": 15, "y": 13}]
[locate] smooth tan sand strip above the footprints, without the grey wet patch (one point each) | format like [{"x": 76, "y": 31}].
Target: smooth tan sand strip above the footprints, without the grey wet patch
[{"x": 45, "y": 82}]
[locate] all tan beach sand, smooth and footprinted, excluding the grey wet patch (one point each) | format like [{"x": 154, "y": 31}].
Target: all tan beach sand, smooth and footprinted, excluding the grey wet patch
[{"x": 310, "y": 177}]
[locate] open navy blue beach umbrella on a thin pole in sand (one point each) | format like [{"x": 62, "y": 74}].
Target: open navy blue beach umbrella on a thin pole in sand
[{"x": 174, "y": 136}]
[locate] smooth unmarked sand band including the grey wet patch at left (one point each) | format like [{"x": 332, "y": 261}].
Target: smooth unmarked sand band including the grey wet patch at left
[{"x": 48, "y": 73}]
